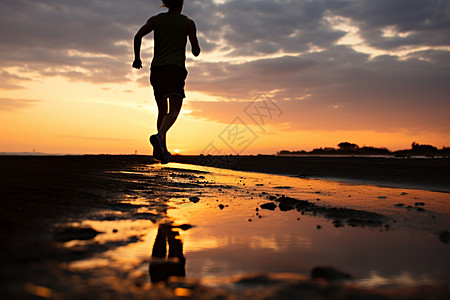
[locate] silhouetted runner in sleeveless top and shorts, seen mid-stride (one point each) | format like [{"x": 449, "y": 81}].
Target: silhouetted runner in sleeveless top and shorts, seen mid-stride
[{"x": 168, "y": 71}]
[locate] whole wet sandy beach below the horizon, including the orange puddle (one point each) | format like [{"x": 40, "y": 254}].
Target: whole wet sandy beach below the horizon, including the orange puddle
[{"x": 121, "y": 226}]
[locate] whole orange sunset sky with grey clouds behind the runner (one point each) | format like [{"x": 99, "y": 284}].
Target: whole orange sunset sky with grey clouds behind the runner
[{"x": 272, "y": 75}]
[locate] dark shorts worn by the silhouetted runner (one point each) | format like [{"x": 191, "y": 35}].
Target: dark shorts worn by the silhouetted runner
[{"x": 167, "y": 80}]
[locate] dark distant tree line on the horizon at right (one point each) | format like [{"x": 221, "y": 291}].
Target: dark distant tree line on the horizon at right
[{"x": 346, "y": 148}]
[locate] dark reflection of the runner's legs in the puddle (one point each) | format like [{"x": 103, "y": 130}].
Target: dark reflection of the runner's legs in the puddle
[{"x": 162, "y": 267}]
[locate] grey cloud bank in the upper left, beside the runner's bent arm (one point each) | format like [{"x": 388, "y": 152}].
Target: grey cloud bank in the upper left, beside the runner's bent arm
[{"x": 80, "y": 40}]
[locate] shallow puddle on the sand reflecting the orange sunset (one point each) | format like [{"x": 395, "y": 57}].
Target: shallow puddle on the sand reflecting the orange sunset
[{"x": 232, "y": 235}]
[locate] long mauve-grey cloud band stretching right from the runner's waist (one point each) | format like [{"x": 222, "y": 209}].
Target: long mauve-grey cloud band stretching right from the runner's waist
[{"x": 339, "y": 71}]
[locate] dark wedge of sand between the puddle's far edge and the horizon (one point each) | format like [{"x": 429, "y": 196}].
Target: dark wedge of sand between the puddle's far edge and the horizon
[{"x": 421, "y": 173}]
